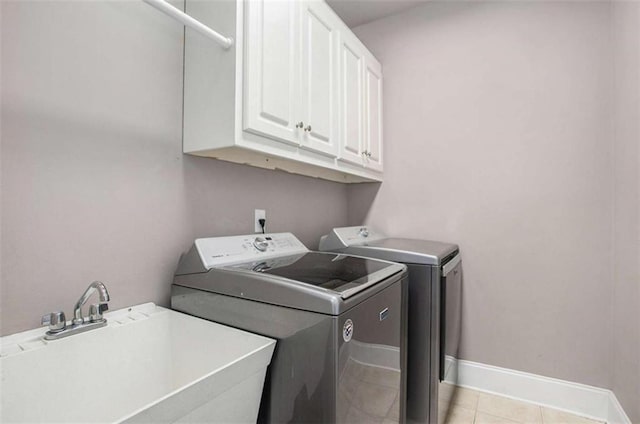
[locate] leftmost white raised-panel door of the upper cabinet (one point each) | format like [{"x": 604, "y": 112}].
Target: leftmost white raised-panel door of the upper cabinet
[{"x": 271, "y": 85}]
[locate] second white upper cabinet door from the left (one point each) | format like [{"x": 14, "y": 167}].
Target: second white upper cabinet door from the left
[{"x": 319, "y": 77}]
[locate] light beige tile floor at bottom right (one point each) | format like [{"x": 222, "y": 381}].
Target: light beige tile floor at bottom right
[{"x": 473, "y": 407}]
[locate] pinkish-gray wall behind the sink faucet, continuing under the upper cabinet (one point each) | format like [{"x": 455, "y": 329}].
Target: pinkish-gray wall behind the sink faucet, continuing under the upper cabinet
[{"x": 94, "y": 182}]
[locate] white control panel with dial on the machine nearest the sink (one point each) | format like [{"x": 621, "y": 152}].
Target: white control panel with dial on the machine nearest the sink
[{"x": 224, "y": 251}]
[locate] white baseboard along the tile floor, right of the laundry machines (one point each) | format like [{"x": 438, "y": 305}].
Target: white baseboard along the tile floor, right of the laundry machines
[{"x": 580, "y": 399}]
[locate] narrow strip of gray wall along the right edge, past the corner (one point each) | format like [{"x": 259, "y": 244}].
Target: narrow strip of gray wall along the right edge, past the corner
[{"x": 626, "y": 288}]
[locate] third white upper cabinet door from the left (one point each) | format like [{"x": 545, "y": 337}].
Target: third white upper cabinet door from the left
[{"x": 351, "y": 100}]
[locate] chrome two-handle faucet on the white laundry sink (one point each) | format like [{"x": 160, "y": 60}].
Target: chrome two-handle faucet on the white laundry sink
[{"x": 57, "y": 322}]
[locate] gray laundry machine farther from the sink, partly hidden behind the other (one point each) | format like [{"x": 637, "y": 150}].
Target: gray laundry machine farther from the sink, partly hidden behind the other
[{"x": 435, "y": 288}]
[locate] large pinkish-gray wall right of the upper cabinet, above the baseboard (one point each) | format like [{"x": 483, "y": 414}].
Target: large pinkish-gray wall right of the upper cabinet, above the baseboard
[{"x": 498, "y": 137}]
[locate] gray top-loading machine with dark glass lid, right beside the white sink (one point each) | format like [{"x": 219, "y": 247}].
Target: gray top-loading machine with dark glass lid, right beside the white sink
[{"x": 339, "y": 321}]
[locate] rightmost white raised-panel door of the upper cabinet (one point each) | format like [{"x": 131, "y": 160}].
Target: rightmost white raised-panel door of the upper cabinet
[{"x": 373, "y": 114}]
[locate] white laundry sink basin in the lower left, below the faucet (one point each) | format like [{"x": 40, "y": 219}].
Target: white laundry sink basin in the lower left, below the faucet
[{"x": 149, "y": 364}]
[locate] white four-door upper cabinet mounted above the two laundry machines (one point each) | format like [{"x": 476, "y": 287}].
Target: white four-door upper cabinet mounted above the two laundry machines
[{"x": 297, "y": 91}]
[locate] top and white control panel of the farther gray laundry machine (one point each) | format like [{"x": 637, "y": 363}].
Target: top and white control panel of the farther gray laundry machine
[{"x": 363, "y": 241}]
